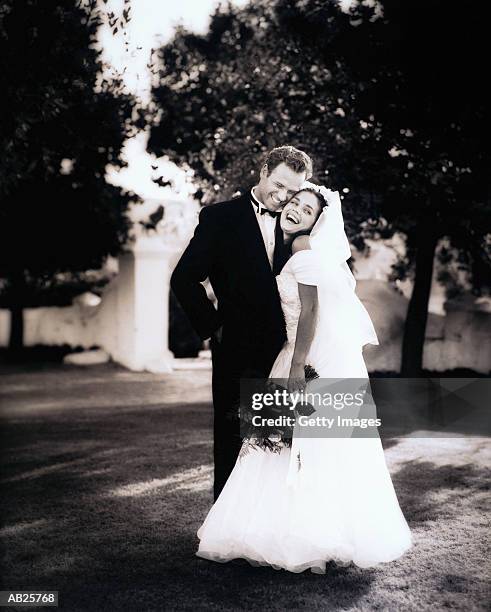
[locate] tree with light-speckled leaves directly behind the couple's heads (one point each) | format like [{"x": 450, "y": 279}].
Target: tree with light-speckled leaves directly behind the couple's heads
[{"x": 224, "y": 99}]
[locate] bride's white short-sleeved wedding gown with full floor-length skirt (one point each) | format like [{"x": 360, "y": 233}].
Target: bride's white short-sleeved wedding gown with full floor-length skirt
[{"x": 342, "y": 506}]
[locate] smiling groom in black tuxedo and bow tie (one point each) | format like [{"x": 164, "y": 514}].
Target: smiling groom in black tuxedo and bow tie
[{"x": 239, "y": 246}]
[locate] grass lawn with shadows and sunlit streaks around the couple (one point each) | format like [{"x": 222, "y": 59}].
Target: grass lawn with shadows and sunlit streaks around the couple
[{"x": 106, "y": 476}]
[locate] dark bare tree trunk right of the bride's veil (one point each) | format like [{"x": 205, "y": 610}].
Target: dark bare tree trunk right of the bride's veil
[{"x": 417, "y": 312}]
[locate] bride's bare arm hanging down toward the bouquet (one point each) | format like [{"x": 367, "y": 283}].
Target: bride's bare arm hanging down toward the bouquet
[{"x": 305, "y": 335}]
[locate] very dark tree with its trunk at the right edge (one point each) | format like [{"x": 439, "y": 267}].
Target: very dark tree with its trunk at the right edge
[{"x": 425, "y": 94}]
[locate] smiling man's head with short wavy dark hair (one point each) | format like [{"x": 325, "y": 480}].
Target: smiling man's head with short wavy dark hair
[{"x": 284, "y": 171}]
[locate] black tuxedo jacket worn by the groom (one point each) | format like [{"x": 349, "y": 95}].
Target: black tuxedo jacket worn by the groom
[{"x": 228, "y": 248}]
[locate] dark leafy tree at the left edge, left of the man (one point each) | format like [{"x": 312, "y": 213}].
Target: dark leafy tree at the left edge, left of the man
[{"x": 62, "y": 124}]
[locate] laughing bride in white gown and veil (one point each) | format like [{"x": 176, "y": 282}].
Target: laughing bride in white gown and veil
[{"x": 323, "y": 499}]
